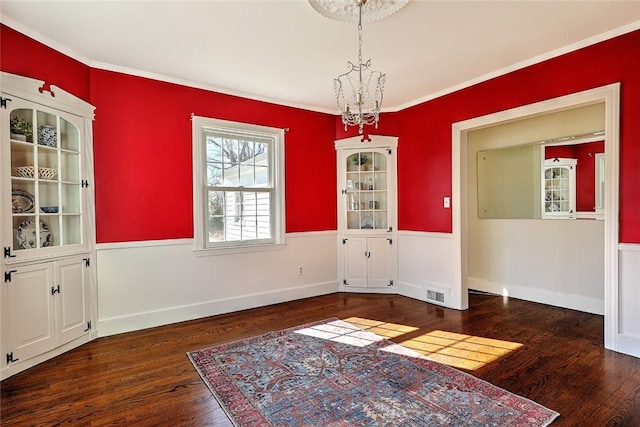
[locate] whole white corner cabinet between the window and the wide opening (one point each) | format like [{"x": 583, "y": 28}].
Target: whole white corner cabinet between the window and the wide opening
[{"x": 367, "y": 255}]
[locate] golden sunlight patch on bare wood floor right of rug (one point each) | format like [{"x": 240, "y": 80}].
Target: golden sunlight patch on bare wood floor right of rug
[{"x": 460, "y": 350}]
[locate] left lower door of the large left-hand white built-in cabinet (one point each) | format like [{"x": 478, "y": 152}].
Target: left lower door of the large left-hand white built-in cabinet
[{"x": 28, "y": 304}]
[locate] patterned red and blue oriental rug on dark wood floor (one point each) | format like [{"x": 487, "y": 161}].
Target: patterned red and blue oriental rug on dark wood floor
[{"x": 331, "y": 373}]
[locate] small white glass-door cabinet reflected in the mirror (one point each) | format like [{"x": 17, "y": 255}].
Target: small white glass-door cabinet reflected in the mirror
[{"x": 559, "y": 188}]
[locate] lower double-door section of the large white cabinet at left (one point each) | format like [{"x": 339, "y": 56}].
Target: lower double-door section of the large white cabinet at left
[{"x": 47, "y": 306}]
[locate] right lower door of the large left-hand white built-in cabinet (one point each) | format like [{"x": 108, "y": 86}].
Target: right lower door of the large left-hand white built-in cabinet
[{"x": 72, "y": 306}]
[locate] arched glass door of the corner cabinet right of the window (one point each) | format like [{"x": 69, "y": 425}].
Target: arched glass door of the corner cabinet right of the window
[{"x": 366, "y": 190}]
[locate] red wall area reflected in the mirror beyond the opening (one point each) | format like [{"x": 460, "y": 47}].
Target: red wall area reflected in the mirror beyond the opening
[{"x": 585, "y": 170}]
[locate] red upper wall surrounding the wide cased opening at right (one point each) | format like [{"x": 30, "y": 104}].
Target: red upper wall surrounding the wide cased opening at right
[{"x": 424, "y": 154}]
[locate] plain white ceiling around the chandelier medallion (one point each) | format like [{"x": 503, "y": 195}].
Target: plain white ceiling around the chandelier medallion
[{"x": 286, "y": 52}]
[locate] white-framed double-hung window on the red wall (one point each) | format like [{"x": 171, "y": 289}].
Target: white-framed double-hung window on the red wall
[{"x": 238, "y": 184}]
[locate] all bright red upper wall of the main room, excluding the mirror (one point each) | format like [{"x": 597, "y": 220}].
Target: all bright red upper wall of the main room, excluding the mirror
[{"x": 142, "y": 138}]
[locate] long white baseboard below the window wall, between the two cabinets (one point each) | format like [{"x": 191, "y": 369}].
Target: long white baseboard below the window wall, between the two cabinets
[{"x": 151, "y": 319}]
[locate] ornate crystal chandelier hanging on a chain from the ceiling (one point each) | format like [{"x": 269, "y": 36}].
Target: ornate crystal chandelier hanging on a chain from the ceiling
[{"x": 359, "y": 91}]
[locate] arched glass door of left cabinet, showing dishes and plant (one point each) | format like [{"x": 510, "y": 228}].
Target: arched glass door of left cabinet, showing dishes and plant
[{"x": 46, "y": 199}]
